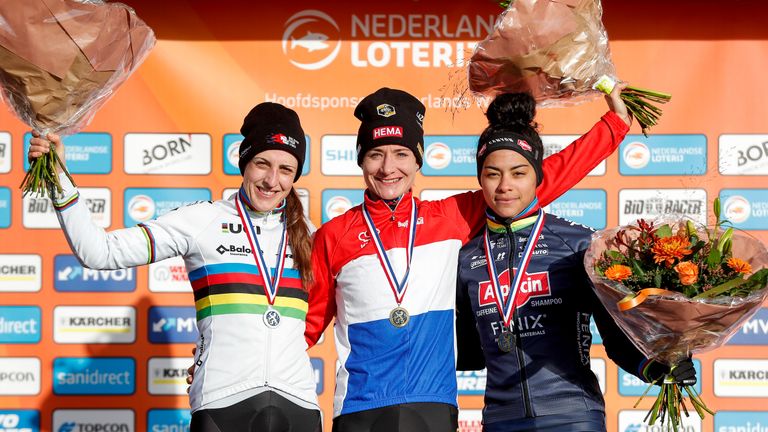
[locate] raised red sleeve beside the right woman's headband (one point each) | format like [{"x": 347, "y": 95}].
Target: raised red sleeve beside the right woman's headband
[{"x": 569, "y": 166}]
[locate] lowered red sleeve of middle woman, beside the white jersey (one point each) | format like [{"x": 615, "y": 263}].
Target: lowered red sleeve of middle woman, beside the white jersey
[{"x": 322, "y": 296}]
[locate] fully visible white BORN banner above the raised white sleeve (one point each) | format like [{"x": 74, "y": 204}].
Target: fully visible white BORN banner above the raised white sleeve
[{"x": 150, "y": 153}]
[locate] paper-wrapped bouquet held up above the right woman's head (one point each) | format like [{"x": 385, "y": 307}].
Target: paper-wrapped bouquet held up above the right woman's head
[{"x": 557, "y": 50}]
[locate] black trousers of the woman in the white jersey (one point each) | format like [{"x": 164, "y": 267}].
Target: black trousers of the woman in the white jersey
[{"x": 265, "y": 412}]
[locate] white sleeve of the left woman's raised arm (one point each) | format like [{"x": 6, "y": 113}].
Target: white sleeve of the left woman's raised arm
[{"x": 158, "y": 239}]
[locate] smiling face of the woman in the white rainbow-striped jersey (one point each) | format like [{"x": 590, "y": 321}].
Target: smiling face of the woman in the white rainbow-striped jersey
[{"x": 268, "y": 178}]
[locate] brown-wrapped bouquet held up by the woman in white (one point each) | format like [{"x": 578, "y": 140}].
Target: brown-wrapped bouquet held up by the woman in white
[{"x": 60, "y": 61}]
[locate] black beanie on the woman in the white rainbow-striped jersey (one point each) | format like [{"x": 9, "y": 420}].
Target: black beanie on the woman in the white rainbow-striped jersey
[{"x": 271, "y": 126}]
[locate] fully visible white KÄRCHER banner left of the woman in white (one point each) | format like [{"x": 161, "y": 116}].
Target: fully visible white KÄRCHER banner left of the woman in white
[{"x": 94, "y": 324}]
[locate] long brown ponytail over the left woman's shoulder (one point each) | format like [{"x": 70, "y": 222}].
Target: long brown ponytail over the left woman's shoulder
[{"x": 299, "y": 237}]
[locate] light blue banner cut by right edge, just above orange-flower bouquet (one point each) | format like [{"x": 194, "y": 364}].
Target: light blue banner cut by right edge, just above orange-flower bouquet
[{"x": 746, "y": 209}]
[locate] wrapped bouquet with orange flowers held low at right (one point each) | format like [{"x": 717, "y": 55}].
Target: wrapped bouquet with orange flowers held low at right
[{"x": 677, "y": 289}]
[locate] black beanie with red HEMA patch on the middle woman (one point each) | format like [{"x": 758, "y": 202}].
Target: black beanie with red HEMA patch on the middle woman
[{"x": 390, "y": 116}]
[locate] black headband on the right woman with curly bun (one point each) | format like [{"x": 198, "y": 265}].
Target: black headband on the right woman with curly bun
[{"x": 531, "y": 148}]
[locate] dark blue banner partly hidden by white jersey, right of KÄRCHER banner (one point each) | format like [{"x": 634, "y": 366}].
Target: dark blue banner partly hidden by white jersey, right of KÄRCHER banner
[{"x": 172, "y": 324}]
